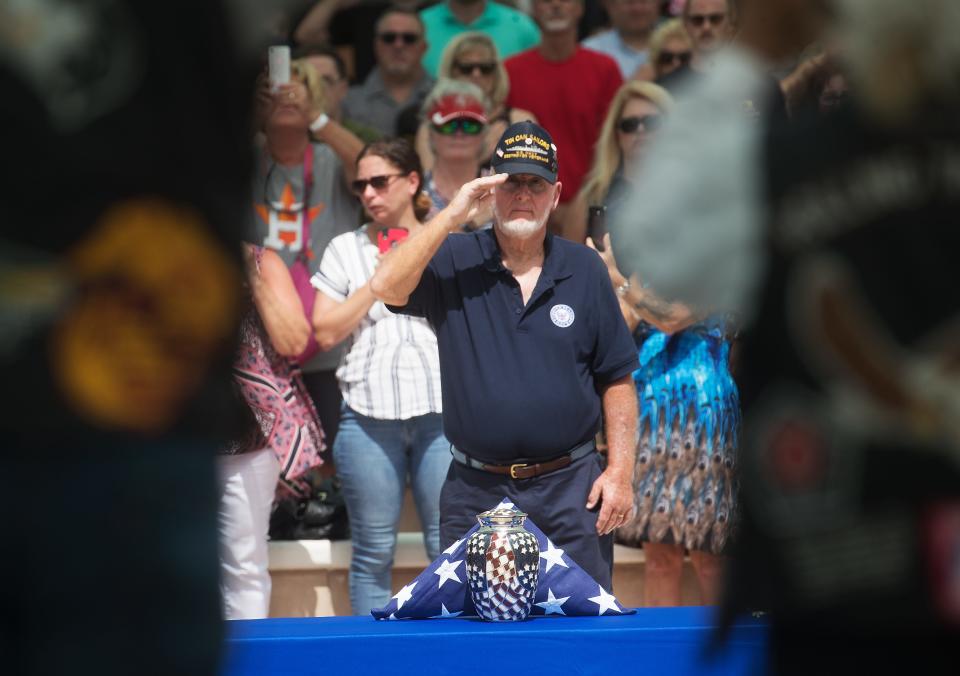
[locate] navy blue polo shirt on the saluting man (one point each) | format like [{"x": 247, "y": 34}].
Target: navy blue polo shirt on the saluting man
[{"x": 521, "y": 382}]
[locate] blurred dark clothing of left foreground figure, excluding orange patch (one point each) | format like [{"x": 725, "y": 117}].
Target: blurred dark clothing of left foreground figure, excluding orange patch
[{"x": 109, "y": 555}]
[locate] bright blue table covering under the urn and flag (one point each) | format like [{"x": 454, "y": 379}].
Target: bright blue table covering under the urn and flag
[{"x": 654, "y": 641}]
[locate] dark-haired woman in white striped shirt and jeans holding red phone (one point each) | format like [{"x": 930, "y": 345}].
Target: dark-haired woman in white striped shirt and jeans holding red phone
[{"x": 390, "y": 428}]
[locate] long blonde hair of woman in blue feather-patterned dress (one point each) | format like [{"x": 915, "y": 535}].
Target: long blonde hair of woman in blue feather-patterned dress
[{"x": 606, "y": 156}]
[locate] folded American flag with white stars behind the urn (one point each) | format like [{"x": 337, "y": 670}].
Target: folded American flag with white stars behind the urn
[{"x": 441, "y": 591}]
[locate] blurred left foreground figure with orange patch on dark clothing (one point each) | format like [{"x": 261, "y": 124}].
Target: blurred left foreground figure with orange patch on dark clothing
[{"x": 119, "y": 284}]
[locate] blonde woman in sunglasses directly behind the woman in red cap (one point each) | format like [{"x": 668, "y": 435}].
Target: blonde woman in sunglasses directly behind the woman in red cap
[{"x": 473, "y": 57}]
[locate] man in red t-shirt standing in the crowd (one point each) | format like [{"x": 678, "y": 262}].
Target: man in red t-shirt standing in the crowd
[{"x": 568, "y": 88}]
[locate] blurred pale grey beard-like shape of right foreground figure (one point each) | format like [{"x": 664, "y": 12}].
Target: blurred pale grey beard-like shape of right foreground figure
[{"x": 691, "y": 228}]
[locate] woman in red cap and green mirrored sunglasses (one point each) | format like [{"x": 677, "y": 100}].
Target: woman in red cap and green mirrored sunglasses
[{"x": 455, "y": 113}]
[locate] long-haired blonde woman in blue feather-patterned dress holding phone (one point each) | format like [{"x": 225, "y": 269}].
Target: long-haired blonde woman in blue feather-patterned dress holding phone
[{"x": 684, "y": 485}]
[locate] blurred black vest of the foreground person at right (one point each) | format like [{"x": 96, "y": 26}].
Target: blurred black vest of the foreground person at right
[{"x": 838, "y": 530}]
